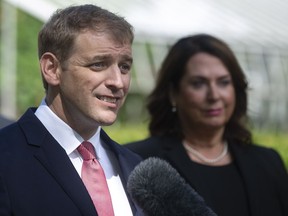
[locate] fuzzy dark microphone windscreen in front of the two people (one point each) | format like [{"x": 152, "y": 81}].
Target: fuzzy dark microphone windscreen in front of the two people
[{"x": 159, "y": 190}]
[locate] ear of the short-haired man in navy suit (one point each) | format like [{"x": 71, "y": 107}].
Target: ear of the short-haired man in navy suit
[{"x": 50, "y": 68}]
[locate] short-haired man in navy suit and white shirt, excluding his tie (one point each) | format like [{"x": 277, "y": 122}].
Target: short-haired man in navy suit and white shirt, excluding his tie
[{"x": 85, "y": 60}]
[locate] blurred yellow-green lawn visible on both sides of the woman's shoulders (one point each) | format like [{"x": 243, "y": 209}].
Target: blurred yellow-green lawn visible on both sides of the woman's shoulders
[{"x": 129, "y": 132}]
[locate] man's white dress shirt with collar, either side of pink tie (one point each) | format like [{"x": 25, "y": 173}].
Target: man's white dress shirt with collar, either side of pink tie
[{"x": 70, "y": 140}]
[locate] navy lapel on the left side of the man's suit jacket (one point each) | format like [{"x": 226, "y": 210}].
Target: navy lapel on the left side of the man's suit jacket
[{"x": 55, "y": 160}]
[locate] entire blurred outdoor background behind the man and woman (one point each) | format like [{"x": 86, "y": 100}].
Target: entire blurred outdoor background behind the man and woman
[{"x": 256, "y": 30}]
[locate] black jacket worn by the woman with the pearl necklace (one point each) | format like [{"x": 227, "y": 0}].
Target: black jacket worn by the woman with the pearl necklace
[{"x": 263, "y": 172}]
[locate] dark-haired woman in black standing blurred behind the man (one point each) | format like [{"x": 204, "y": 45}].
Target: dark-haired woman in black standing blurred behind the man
[{"x": 198, "y": 112}]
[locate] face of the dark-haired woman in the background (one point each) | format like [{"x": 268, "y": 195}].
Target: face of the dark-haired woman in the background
[{"x": 206, "y": 96}]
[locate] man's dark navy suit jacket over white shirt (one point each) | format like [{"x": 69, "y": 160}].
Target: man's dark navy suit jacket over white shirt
[{"x": 37, "y": 177}]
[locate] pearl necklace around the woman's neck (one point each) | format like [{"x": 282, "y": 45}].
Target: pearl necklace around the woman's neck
[{"x": 202, "y": 157}]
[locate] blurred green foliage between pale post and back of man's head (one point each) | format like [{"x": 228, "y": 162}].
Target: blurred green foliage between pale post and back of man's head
[{"x": 29, "y": 90}]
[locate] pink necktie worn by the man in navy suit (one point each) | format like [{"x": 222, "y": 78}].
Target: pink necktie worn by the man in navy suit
[{"x": 94, "y": 180}]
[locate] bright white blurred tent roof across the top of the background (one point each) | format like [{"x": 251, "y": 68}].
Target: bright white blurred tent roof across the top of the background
[{"x": 257, "y": 21}]
